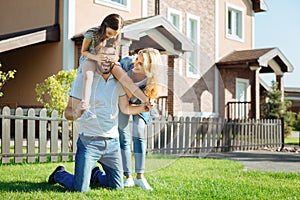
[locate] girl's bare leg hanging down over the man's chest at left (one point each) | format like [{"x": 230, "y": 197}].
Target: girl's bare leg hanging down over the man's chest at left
[{"x": 88, "y": 70}]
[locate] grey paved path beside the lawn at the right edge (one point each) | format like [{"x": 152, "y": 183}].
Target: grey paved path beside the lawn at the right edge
[{"x": 263, "y": 160}]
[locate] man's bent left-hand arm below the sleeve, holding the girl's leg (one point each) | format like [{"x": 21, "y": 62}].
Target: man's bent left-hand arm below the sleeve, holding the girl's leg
[{"x": 74, "y": 109}]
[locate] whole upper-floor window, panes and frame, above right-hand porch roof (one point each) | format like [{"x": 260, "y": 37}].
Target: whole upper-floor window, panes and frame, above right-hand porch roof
[{"x": 234, "y": 22}]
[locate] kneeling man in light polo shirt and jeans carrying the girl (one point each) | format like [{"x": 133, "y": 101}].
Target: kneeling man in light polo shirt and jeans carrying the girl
[{"x": 98, "y": 137}]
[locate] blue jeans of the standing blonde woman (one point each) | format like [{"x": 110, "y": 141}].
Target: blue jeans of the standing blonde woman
[{"x": 139, "y": 143}]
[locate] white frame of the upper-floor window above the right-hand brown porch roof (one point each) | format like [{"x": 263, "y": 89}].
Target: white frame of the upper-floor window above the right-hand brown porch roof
[{"x": 238, "y": 36}]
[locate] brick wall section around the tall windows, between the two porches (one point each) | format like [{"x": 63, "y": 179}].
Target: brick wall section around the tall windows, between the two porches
[{"x": 184, "y": 101}]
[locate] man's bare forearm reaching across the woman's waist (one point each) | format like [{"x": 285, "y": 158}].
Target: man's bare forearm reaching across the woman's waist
[{"x": 128, "y": 109}]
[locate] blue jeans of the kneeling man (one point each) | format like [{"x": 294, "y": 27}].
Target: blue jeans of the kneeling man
[{"x": 89, "y": 151}]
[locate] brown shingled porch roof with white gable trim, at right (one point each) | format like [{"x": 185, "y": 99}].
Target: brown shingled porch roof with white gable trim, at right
[{"x": 270, "y": 59}]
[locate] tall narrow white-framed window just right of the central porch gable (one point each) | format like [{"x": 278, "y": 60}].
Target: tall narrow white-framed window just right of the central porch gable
[{"x": 193, "y": 33}]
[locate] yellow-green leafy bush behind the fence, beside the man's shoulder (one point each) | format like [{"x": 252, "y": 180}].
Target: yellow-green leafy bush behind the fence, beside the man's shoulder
[{"x": 53, "y": 93}]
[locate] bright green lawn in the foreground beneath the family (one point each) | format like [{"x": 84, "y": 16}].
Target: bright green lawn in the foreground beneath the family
[{"x": 171, "y": 178}]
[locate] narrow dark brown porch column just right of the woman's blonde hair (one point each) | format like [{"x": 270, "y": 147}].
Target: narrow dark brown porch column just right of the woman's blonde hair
[{"x": 171, "y": 85}]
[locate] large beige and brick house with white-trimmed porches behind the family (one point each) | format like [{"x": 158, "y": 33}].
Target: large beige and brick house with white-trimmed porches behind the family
[{"x": 210, "y": 69}]
